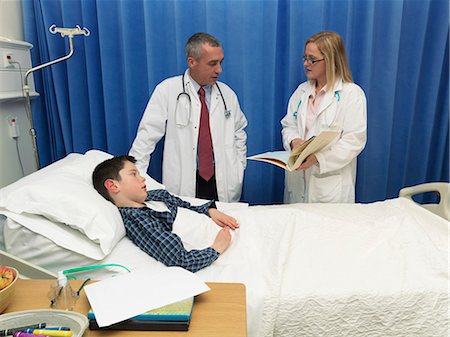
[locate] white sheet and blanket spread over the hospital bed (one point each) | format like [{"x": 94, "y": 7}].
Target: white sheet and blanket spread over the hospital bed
[{"x": 376, "y": 269}]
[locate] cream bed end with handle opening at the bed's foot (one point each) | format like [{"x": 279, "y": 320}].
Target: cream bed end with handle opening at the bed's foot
[{"x": 441, "y": 188}]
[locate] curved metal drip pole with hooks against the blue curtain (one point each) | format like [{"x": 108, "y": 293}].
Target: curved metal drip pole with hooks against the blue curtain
[{"x": 69, "y": 32}]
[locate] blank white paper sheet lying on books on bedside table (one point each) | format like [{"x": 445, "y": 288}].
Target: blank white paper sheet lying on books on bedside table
[{"x": 119, "y": 298}]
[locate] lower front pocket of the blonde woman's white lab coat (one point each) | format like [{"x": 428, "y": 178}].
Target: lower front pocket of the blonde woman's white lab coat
[{"x": 325, "y": 187}]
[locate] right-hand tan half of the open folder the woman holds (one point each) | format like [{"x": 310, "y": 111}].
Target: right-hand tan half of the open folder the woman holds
[{"x": 313, "y": 145}]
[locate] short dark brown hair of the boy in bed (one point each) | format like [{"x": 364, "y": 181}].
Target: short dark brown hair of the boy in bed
[{"x": 109, "y": 169}]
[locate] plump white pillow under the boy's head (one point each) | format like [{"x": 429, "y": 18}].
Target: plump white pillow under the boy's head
[{"x": 63, "y": 193}]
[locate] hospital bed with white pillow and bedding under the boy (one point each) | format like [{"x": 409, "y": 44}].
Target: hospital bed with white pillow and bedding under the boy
[{"x": 378, "y": 269}]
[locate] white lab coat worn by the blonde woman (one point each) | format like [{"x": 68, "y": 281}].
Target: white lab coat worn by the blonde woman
[{"x": 333, "y": 178}]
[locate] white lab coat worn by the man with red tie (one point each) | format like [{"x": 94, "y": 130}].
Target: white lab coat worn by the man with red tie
[{"x": 180, "y": 144}]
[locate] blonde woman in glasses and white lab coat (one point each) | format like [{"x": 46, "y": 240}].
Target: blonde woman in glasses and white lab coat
[{"x": 329, "y": 100}]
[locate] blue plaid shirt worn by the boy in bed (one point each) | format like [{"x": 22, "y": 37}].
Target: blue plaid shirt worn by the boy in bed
[{"x": 151, "y": 231}]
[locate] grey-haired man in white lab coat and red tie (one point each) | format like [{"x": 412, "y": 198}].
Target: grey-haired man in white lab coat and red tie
[{"x": 204, "y": 128}]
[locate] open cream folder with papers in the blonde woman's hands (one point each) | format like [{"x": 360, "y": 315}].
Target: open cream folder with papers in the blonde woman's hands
[{"x": 291, "y": 160}]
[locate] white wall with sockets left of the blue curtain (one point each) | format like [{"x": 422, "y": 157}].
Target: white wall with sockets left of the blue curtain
[{"x": 15, "y": 153}]
